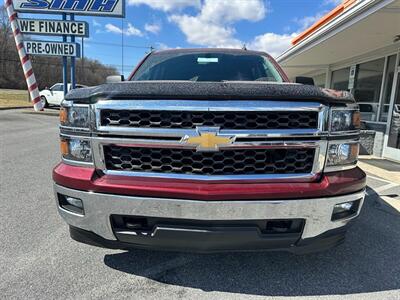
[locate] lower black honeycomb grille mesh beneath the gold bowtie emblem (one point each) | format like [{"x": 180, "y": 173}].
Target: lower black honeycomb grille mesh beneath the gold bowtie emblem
[{"x": 224, "y": 162}]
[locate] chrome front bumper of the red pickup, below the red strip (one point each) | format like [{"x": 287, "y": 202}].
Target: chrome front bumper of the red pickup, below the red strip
[{"x": 98, "y": 208}]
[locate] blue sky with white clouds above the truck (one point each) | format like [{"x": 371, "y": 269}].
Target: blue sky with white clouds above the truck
[{"x": 266, "y": 25}]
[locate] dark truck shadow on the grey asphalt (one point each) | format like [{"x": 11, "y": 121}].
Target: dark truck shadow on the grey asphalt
[{"x": 367, "y": 262}]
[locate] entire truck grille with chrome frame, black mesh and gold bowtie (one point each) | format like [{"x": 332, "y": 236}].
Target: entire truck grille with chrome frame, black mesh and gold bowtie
[{"x": 215, "y": 140}]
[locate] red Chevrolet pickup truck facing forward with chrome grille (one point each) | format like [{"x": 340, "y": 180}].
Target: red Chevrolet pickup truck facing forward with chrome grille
[{"x": 209, "y": 150}]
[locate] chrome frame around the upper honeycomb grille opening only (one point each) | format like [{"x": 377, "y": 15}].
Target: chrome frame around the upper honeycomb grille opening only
[{"x": 209, "y": 106}]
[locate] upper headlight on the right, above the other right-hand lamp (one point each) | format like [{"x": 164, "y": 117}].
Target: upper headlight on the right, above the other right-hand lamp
[{"x": 345, "y": 120}]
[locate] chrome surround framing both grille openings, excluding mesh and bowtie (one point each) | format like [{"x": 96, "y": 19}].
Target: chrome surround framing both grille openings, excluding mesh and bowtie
[{"x": 244, "y": 139}]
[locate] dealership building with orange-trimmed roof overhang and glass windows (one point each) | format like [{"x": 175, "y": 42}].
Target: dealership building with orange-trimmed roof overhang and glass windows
[{"x": 356, "y": 47}]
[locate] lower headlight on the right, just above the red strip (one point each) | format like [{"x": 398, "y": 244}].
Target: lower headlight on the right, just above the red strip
[{"x": 341, "y": 154}]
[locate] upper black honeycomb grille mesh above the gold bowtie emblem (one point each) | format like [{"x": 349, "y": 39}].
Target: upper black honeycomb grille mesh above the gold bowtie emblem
[{"x": 266, "y": 120}]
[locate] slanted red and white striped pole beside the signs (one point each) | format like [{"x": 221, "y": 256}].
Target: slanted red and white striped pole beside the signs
[{"x": 24, "y": 58}]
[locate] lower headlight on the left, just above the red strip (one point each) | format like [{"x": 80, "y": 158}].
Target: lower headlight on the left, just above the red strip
[{"x": 76, "y": 149}]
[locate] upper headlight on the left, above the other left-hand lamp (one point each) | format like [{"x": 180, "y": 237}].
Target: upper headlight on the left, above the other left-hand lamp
[{"x": 75, "y": 116}]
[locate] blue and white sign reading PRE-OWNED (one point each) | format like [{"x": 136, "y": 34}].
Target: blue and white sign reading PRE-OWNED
[{"x": 52, "y": 48}]
